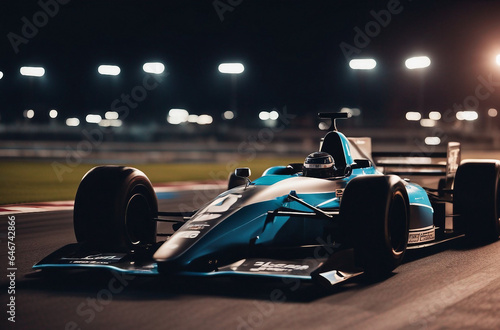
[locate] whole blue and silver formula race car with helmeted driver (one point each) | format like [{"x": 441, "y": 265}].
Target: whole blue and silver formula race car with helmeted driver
[{"x": 334, "y": 217}]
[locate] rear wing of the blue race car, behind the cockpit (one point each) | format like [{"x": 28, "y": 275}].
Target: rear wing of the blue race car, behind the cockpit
[{"x": 443, "y": 164}]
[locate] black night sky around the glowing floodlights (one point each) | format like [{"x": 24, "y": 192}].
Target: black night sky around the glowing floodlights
[{"x": 290, "y": 49}]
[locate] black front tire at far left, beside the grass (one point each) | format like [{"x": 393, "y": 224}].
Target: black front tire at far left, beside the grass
[{"x": 115, "y": 207}]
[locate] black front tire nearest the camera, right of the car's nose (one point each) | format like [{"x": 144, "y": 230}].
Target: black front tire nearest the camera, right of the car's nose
[{"x": 376, "y": 214}]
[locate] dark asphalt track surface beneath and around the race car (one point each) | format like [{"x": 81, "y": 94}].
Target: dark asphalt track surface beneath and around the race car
[{"x": 452, "y": 286}]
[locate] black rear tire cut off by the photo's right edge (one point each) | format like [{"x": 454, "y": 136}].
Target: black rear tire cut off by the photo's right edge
[{"x": 476, "y": 200}]
